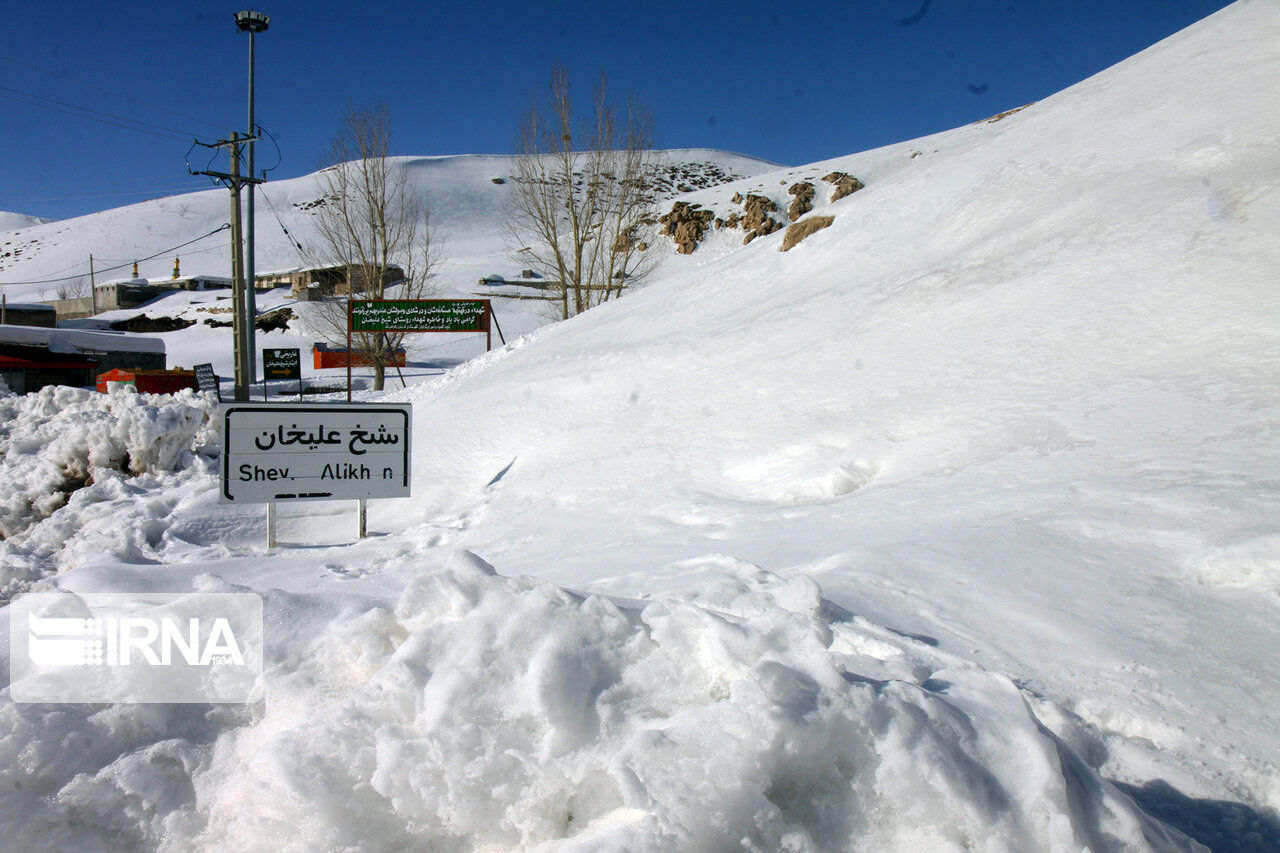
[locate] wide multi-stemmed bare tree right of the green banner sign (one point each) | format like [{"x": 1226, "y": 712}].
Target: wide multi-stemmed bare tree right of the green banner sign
[{"x": 580, "y": 208}]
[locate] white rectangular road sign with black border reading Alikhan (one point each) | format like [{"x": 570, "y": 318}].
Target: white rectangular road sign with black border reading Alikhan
[{"x": 316, "y": 453}]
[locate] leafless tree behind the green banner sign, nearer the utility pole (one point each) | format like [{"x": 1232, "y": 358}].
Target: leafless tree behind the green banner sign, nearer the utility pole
[{"x": 374, "y": 227}]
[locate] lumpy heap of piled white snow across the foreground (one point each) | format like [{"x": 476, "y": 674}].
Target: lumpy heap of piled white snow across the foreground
[{"x": 486, "y": 711}]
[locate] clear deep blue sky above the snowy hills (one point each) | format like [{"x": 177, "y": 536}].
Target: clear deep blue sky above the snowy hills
[{"x": 785, "y": 83}]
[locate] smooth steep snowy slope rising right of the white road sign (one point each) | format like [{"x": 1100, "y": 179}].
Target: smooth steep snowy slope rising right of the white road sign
[{"x": 1020, "y": 398}]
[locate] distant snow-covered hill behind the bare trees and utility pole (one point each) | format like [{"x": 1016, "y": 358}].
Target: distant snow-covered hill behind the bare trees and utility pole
[{"x": 463, "y": 193}]
